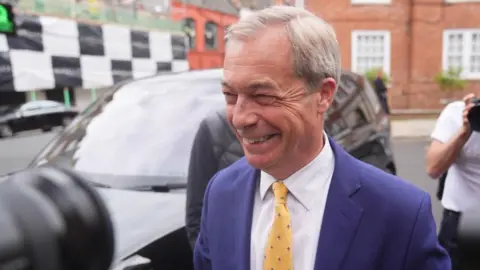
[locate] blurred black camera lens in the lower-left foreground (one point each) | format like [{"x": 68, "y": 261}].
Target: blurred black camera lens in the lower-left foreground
[{"x": 51, "y": 219}]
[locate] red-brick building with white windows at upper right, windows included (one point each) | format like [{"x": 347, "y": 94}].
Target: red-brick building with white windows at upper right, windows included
[{"x": 411, "y": 39}]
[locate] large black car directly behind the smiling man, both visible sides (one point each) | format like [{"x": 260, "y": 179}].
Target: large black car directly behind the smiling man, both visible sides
[{"x": 134, "y": 144}]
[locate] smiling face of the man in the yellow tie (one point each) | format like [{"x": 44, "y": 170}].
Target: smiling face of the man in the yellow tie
[{"x": 277, "y": 121}]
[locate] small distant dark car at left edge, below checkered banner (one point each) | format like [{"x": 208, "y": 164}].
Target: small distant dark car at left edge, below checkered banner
[{"x": 39, "y": 114}]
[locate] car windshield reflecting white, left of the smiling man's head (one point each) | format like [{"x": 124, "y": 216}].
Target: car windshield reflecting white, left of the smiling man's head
[{"x": 138, "y": 134}]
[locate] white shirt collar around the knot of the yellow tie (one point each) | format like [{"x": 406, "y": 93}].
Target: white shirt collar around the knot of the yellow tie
[{"x": 305, "y": 184}]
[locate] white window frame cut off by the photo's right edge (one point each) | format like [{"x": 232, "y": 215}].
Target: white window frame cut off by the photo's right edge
[{"x": 467, "y": 35}]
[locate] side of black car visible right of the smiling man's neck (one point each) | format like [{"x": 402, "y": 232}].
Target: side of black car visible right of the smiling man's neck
[{"x": 357, "y": 121}]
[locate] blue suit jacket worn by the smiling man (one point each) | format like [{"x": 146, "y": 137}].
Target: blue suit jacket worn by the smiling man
[{"x": 372, "y": 221}]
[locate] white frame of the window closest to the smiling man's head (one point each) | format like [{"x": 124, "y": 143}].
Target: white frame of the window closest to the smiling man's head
[{"x": 386, "y": 45}]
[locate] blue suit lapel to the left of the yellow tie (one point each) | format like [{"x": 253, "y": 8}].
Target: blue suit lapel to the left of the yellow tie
[{"x": 245, "y": 186}]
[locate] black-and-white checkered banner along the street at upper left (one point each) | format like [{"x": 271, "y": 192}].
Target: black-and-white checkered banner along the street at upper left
[{"x": 50, "y": 52}]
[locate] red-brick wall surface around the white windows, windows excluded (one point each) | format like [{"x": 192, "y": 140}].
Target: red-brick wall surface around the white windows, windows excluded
[{"x": 416, "y": 29}]
